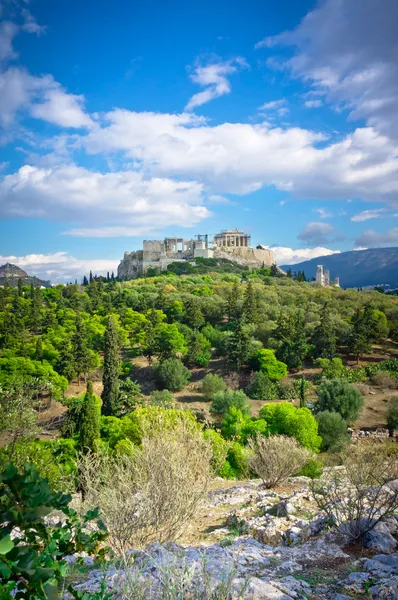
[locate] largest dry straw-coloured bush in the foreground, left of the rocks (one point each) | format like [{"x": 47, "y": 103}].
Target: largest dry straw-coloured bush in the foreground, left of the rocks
[{"x": 152, "y": 493}]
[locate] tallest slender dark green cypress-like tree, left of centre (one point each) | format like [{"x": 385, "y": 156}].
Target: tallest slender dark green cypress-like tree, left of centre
[{"x": 110, "y": 377}]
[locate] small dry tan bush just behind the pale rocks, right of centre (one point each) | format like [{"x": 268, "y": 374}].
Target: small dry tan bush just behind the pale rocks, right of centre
[{"x": 276, "y": 458}]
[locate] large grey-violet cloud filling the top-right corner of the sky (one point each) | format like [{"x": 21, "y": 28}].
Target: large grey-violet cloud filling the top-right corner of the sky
[{"x": 348, "y": 49}]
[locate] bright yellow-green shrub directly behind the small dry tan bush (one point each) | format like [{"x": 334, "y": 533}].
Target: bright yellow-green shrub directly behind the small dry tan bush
[{"x": 285, "y": 419}]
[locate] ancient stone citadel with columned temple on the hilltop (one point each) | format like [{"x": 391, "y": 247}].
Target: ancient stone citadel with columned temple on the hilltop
[{"x": 232, "y": 244}]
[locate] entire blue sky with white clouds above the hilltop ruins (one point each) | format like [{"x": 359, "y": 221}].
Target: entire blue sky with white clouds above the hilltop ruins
[{"x": 129, "y": 120}]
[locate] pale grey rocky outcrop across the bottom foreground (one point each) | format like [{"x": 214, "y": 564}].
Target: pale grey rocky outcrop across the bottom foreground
[{"x": 273, "y": 546}]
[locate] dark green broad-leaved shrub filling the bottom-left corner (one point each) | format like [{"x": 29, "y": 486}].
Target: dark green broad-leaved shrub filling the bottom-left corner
[{"x": 33, "y": 562}]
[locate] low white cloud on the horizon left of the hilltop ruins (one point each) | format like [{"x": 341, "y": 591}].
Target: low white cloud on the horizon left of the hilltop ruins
[{"x": 60, "y": 266}]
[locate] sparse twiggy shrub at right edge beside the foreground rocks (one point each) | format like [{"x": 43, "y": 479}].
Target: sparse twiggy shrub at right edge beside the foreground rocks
[{"x": 359, "y": 496}]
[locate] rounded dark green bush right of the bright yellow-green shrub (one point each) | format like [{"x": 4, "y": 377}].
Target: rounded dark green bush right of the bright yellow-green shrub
[{"x": 341, "y": 397}]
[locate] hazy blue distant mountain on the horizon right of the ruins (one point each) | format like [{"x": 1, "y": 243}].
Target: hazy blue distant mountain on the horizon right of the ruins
[{"x": 356, "y": 268}]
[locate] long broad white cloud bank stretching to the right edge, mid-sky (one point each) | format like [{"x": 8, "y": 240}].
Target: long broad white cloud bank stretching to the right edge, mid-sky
[{"x": 243, "y": 157}]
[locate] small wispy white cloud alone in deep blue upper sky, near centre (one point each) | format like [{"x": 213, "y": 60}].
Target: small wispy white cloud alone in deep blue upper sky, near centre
[{"x": 214, "y": 78}]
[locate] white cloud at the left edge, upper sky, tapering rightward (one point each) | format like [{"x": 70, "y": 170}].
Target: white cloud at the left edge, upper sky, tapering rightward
[{"x": 42, "y": 97}]
